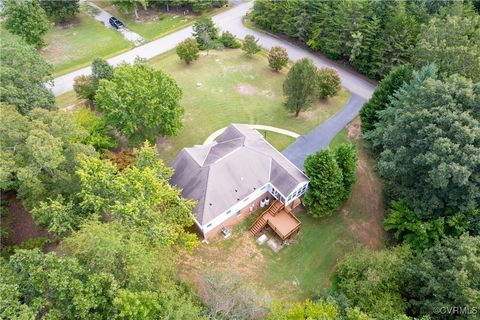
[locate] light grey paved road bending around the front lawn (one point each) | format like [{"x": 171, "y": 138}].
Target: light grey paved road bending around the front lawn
[{"x": 230, "y": 20}]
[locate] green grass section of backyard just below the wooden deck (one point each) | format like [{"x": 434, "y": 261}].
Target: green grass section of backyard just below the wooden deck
[{"x": 305, "y": 267}]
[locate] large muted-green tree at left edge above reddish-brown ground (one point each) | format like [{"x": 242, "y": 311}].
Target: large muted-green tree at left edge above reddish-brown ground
[{"x": 42, "y": 149}]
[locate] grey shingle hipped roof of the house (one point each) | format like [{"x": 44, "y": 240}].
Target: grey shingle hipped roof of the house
[{"x": 220, "y": 174}]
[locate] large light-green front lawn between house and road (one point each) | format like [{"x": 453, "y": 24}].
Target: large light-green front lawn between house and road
[{"x": 227, "y": 86}]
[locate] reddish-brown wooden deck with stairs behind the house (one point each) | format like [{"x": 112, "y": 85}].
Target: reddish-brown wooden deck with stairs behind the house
[{"x": 280, "y": 219}]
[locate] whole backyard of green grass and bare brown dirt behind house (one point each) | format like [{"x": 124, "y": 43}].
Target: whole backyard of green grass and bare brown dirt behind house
[{"x": 305, "y": 267}]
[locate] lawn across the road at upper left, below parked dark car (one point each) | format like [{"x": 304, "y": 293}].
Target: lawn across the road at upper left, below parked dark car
[{"x": 74, "y": 45}]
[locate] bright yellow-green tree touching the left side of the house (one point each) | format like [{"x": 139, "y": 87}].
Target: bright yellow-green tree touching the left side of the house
[{"x": 138, "y": 197}]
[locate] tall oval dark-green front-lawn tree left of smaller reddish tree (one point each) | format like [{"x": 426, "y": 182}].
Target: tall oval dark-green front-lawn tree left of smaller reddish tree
[{"x": 299, "y": 85}]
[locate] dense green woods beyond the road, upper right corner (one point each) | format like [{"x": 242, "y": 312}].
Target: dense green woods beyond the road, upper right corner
[{"x": 375, "y": 36}]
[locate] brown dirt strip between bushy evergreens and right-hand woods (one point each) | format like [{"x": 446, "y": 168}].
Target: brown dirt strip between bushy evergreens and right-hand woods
[{"x": 364, "y": 210}]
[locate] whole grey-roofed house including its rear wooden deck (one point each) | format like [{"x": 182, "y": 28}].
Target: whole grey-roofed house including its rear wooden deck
[{"x": 234, "y": 176}]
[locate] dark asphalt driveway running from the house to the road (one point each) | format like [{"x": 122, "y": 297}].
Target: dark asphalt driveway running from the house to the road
[{"x": 321, "y": 136}]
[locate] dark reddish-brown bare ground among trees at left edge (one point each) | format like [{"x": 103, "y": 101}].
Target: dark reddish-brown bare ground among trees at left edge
[{"x": 20, "y": 222}]
